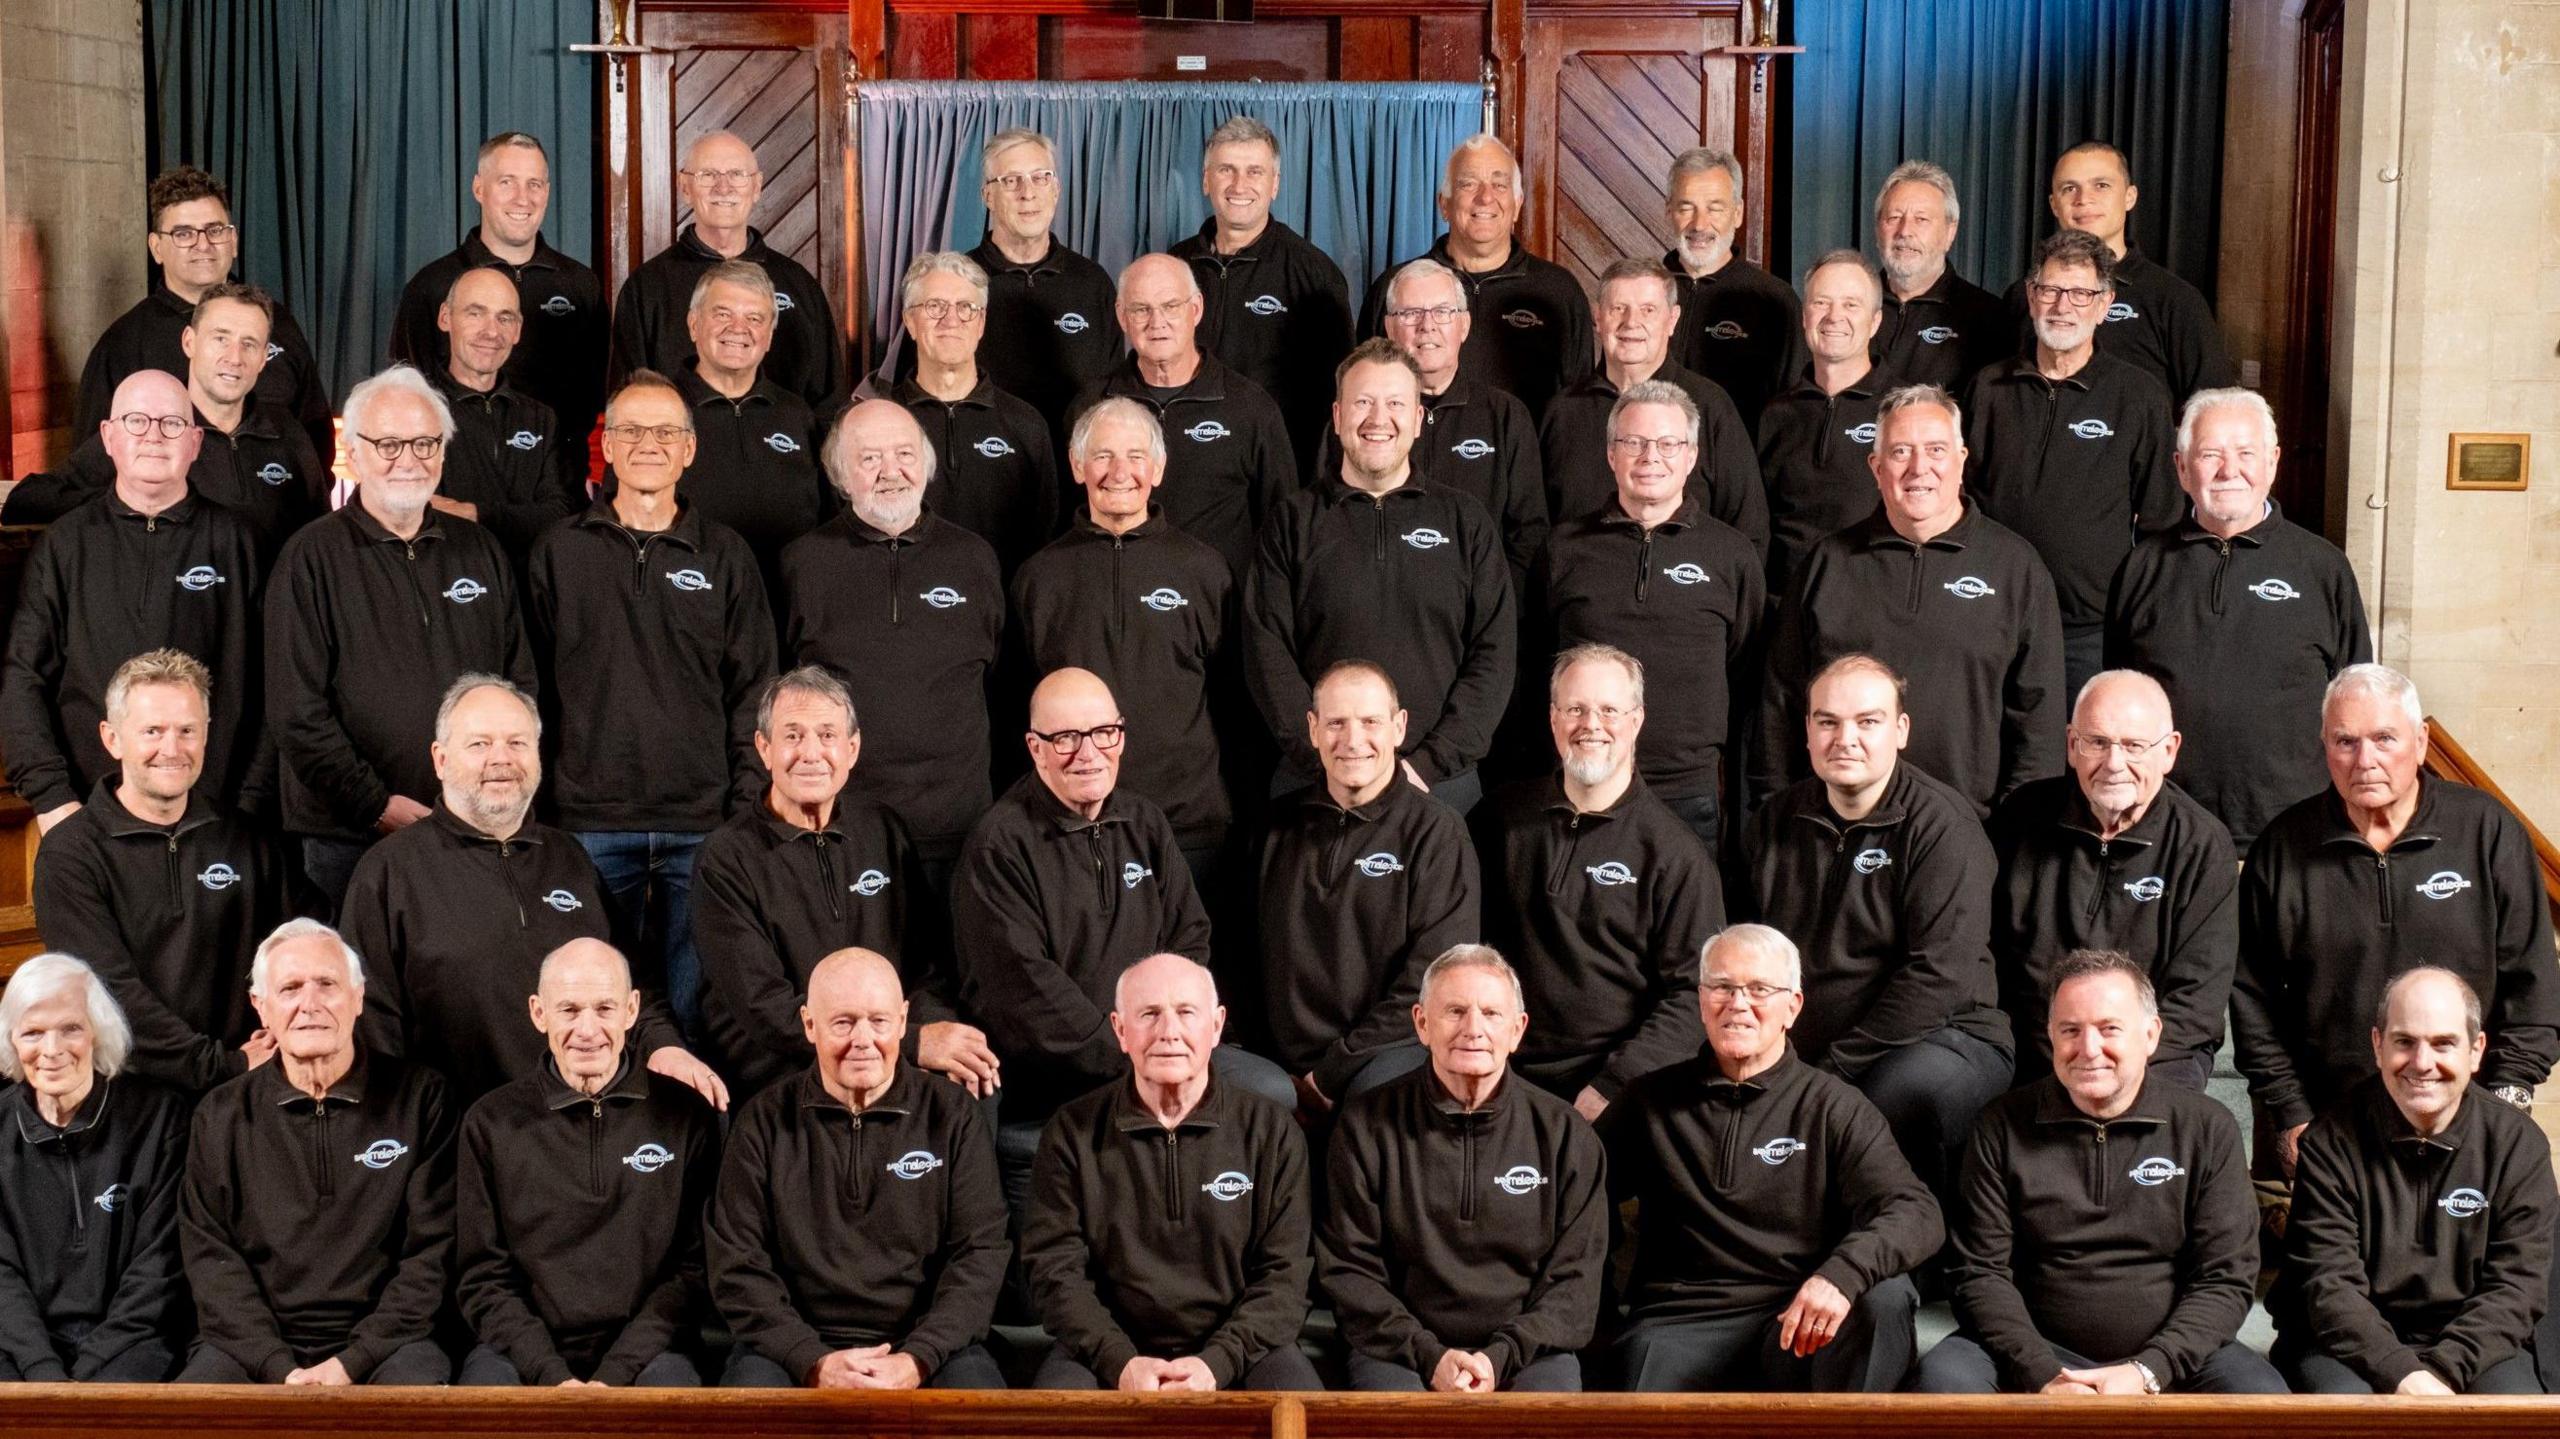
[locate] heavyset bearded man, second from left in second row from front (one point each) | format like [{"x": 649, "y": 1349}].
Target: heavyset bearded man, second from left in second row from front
[{"x": 465, "y": 905}]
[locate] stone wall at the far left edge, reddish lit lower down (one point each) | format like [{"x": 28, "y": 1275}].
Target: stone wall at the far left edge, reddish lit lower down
[{"x": 70, "y": 204}]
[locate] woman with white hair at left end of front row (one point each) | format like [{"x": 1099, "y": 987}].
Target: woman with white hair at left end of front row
[{"x": 91, "y": 1166}]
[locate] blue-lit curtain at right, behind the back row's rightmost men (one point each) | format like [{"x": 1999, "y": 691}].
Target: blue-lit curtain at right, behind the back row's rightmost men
[{"x": 1996, "y": 91}]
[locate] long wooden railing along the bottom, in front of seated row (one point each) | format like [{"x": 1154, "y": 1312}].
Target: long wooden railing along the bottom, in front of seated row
[{"x": 155, "y": 1412}]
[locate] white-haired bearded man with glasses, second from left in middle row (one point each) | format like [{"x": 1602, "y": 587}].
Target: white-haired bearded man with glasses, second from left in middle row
[{"x": 370, "y": 618}]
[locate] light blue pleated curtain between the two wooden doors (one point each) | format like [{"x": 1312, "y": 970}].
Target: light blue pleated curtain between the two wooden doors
[{"x": 1358, "y": 165}]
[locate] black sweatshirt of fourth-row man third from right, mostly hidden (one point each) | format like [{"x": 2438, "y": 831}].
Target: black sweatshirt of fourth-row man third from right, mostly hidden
[{"x": 1573, "y": 442}]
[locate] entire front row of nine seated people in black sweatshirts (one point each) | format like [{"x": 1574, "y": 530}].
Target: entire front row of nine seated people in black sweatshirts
[{"x": 851, "y": 1233}]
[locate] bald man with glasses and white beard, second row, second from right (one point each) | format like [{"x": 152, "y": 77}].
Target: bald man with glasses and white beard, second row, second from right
[{"x": 2118, "y": 859}]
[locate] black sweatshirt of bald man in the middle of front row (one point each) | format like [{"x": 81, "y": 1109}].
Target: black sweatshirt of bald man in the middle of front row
[{"x": 1169, "y": 1243}]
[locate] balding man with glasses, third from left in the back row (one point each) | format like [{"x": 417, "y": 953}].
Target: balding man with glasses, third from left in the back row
[{"x": 721, "y": 183}]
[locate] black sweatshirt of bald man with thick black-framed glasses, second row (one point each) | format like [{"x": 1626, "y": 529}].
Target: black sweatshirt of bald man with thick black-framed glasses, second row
[{"x": 1048, "y": 910}]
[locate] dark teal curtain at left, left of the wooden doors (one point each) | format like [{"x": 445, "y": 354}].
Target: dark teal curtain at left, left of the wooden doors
[{"x": 347, "y": 132}]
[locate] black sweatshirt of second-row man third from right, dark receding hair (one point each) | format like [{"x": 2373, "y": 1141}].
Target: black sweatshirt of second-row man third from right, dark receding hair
[{"x": 1893, "y": 915}]
